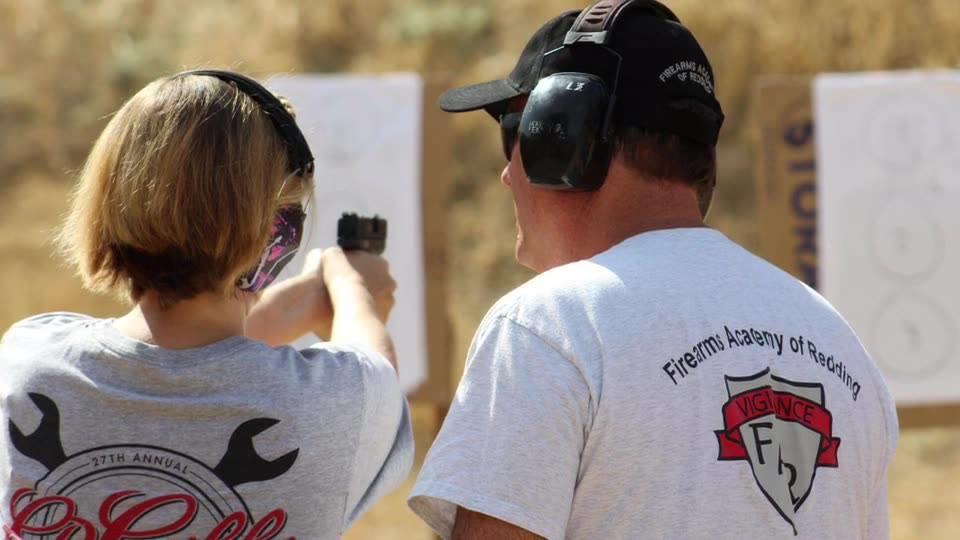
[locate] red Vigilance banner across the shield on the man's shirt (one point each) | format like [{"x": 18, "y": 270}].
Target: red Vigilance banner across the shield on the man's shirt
[{"x": 788, "y": 407}]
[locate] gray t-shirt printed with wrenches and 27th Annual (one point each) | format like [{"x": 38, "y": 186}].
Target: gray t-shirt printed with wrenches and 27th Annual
[{"x": 99, "y": 432}]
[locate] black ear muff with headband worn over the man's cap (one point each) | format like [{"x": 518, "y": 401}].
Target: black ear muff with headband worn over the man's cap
[{"x": 566, "y": 131}]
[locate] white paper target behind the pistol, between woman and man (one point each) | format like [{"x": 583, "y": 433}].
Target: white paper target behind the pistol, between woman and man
[{"x": 366, "y": 135}]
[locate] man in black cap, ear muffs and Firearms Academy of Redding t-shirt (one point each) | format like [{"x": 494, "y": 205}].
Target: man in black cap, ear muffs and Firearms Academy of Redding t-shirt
[{"x": 656, "y": 380}]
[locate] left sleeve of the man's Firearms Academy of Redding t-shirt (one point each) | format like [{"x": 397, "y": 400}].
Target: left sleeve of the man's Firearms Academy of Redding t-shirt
[{"x": 511, "y": 444}]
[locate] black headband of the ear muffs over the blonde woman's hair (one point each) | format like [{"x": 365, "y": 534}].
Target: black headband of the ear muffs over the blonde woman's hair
[{"x": 298, "y": 151}]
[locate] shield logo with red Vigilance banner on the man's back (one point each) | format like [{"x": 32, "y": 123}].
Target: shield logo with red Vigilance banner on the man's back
[{"x": 783, "y": 429}]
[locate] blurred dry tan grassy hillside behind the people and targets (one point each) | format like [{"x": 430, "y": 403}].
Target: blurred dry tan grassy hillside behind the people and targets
[{"x": 66, "y": 65}]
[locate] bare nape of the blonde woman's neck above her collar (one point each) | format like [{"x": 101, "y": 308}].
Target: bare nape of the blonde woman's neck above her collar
[{"x": 196, "y": 322}]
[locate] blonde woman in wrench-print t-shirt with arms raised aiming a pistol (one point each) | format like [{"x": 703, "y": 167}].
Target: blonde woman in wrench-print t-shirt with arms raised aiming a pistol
[{"x": 186, "y": 417}]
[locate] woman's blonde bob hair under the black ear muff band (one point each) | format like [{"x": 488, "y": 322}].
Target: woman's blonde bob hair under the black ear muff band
[{"x": 179, "y": 192}]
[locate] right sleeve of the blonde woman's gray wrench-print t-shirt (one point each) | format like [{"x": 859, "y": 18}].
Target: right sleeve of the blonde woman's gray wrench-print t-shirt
[{"x": 385, "y": 448}]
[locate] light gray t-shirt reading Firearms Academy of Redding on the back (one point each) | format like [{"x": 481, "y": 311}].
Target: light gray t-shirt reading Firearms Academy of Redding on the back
[{"x": 674, "y": 386}]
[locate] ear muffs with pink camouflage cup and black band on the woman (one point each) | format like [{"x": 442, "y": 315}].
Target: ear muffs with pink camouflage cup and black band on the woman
[{"x": 287, "y": 228}]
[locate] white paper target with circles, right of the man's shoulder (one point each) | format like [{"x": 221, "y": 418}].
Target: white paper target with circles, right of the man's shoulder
[{"x": 889, "y": 190}]
